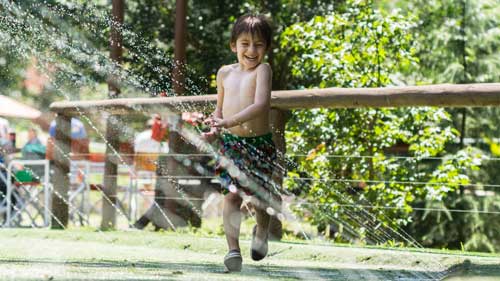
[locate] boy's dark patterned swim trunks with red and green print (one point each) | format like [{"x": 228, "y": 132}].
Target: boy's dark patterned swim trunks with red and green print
[{"x": 247, "y": 164}]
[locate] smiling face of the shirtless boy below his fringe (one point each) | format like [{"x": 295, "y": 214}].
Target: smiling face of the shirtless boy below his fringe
[{"x": 250, "y": 50}]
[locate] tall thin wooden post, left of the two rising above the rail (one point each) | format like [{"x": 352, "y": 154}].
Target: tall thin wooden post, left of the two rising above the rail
[{"x": 112, "y": 128}]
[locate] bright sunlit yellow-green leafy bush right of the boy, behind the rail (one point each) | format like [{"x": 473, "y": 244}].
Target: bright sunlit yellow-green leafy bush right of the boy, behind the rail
[{"x": 363, "y": 47}]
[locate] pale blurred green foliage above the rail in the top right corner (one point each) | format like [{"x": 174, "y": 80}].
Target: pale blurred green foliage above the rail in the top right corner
[{"x": 458, "y": 41}]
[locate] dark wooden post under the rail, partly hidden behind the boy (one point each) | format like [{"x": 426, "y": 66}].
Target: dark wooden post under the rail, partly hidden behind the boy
[{"x": 278, "y": 120}]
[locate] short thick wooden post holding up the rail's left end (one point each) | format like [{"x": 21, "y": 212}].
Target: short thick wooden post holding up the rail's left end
[{"x": 60, "y": 178}]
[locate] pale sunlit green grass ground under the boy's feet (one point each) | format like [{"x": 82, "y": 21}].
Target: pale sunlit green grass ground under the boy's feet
[{"x": 76, "y": 254}]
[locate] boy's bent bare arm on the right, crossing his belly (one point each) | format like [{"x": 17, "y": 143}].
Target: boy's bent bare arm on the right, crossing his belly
[{"x": 262, "y": 101}]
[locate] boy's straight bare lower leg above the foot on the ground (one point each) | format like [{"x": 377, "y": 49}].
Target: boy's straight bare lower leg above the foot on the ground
[{"x": 231, "y": 216}]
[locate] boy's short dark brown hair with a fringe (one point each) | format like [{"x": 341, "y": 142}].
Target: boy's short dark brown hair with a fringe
[{"x": 253, "y": 24}]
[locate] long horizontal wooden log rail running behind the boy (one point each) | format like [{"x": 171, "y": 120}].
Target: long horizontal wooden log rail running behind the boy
[{"x": 443, "y": 95}]
